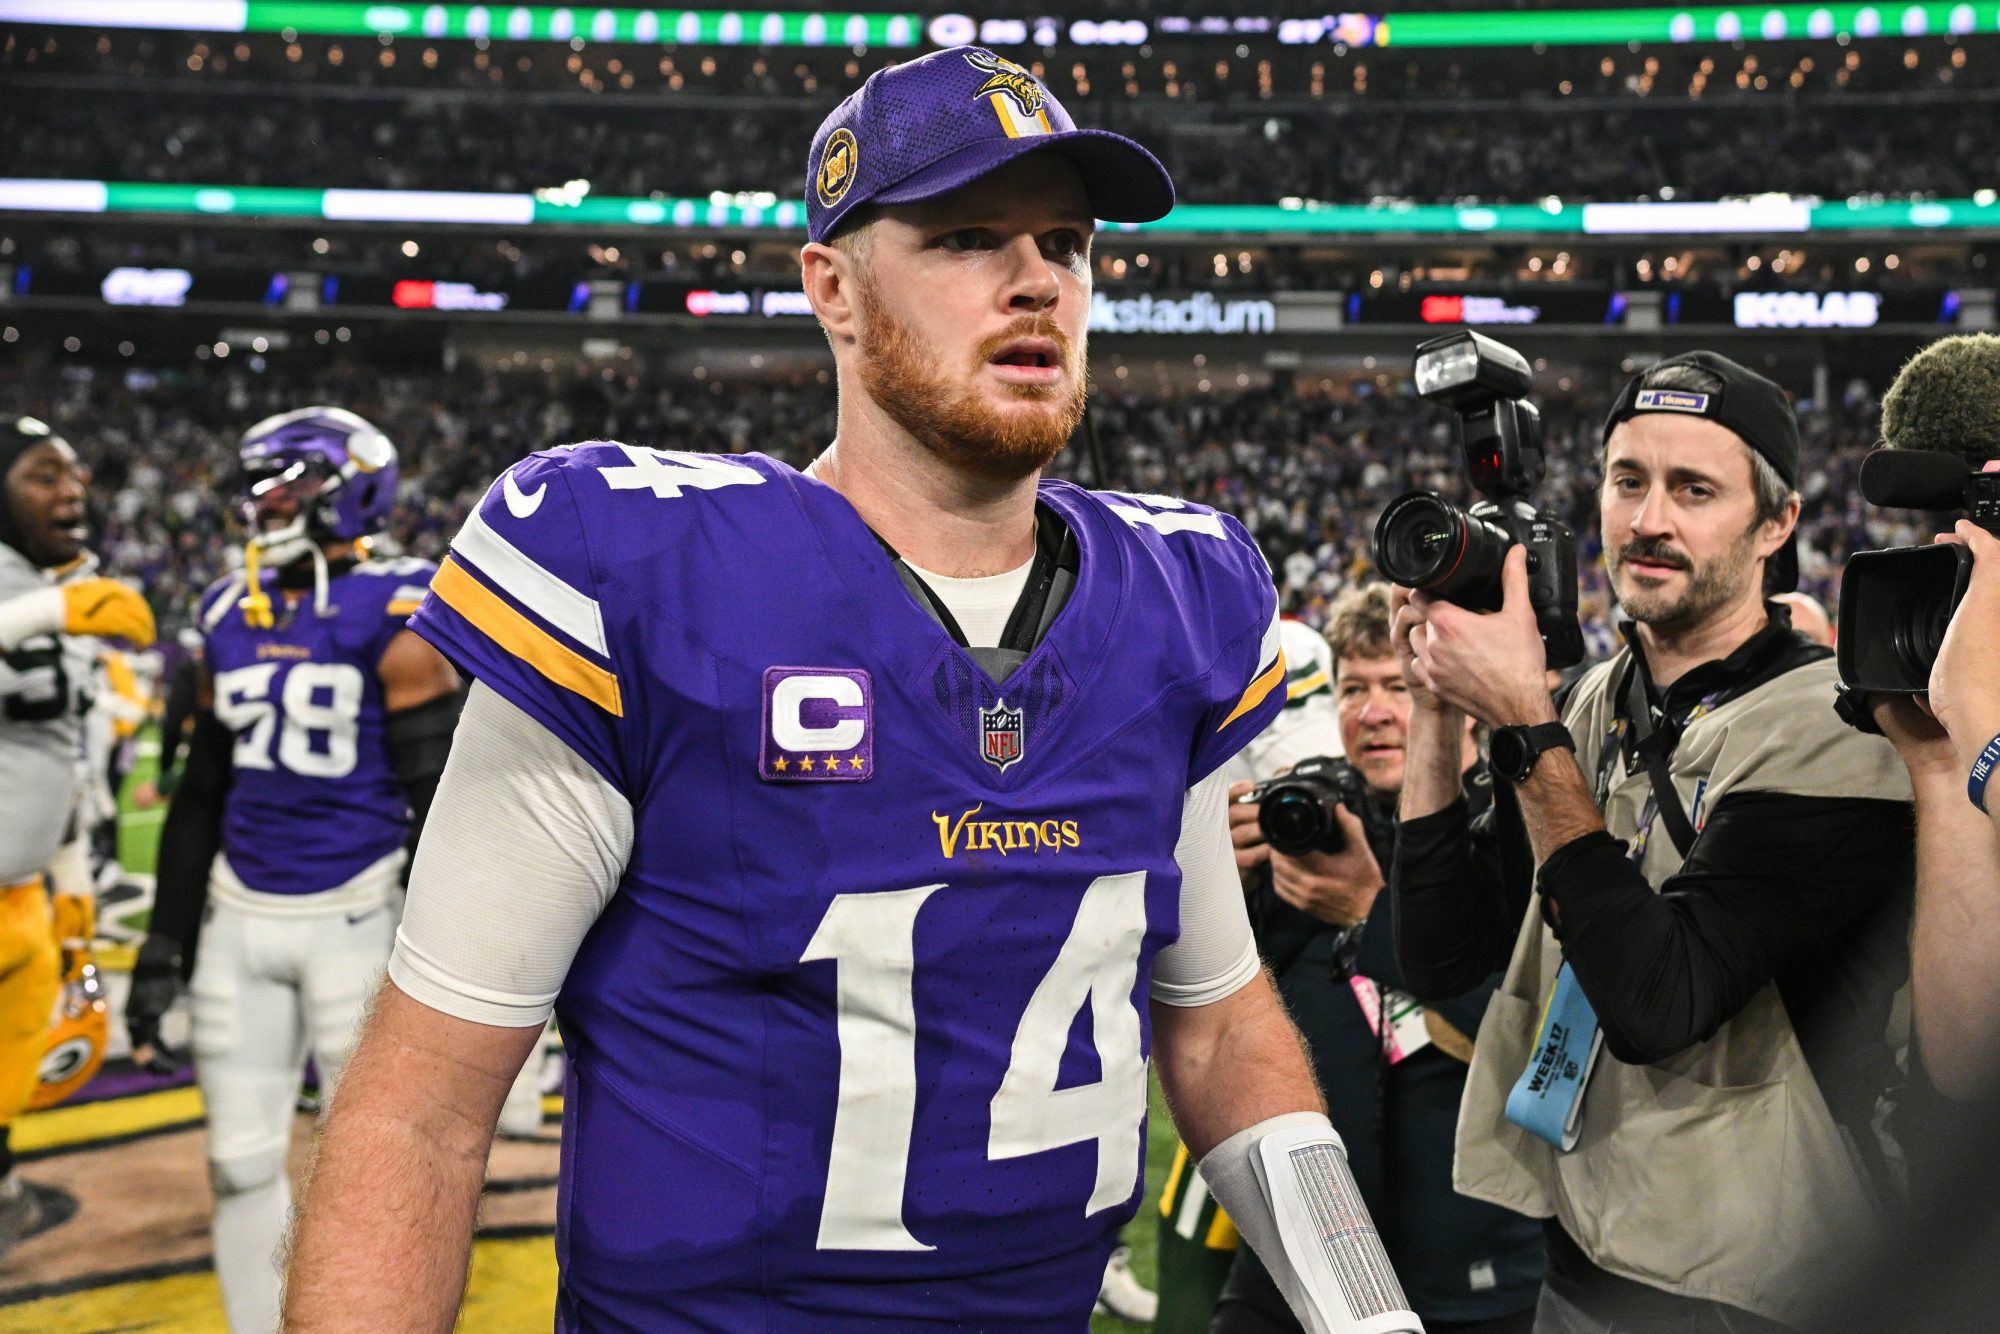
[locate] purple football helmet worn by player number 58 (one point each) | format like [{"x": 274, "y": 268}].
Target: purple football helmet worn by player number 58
[{"x": 335, "y": 471}]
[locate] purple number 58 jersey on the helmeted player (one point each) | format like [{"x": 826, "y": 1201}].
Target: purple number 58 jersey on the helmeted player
[{"x": 315, "y": 799}]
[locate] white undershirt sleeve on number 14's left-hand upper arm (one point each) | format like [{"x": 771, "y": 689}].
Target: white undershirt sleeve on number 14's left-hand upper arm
[{"x": 523, "y": 849}]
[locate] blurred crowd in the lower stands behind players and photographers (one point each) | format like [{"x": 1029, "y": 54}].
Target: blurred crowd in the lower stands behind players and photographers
[{"x": 1307, "y": 469}]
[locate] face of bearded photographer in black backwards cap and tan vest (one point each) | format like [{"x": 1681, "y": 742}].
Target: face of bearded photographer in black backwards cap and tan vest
[{"x": 1679, "y": 513}]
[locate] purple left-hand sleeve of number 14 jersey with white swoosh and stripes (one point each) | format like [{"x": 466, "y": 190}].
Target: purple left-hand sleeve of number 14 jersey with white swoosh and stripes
[{"x": 515, "y": 605}]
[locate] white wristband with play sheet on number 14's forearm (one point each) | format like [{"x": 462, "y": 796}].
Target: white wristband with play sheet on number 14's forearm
[{"x": 1289, "y": 1189}]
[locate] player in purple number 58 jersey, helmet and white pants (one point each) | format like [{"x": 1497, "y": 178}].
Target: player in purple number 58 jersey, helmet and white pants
[{"x": 319, "y": 745}]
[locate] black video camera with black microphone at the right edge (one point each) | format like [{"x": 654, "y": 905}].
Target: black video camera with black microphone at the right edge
[{"x": 1895, "y": 605}]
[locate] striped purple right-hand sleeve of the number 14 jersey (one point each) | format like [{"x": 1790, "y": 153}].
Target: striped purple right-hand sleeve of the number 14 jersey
[{"x": 1247, "y": 683}]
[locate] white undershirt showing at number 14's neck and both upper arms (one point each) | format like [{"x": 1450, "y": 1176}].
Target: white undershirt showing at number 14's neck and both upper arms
[{"x": 493, "y": 925}]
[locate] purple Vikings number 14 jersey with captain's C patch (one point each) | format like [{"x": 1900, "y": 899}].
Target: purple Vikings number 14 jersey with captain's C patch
[{"x": 861, "y": 1039}]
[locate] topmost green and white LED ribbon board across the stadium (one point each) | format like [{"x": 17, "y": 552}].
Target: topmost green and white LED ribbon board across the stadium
[{"x": 535, "y": 23}]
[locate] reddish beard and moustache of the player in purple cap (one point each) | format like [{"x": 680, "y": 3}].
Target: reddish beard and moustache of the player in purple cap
[{"x": 949, "y": 415}]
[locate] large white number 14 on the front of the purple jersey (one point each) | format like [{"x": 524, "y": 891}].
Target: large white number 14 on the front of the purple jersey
[{"x": 873, "y": 941}]
